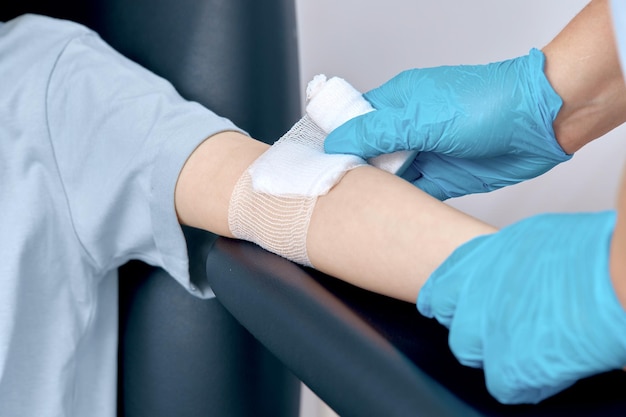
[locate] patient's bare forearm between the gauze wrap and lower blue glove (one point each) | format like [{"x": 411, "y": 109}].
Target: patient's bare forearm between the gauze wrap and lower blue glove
[{"x": 380, "y": 232}]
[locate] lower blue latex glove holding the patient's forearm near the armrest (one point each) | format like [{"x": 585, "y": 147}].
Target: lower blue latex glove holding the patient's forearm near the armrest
[{"x": 532, "y": 304}]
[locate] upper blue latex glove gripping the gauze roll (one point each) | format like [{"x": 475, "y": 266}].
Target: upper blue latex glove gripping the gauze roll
[{"x": 478, "y": 128}]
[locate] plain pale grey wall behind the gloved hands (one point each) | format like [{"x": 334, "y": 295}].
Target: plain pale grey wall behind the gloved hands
[{"x": 368, "y": 41}]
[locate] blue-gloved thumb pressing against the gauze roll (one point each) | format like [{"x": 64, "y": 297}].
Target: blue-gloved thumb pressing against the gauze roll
[{"x": 372, "y": 134}]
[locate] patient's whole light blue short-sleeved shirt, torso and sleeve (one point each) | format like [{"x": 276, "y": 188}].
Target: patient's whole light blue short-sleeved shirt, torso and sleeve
[{"x": 91, "y": 146}]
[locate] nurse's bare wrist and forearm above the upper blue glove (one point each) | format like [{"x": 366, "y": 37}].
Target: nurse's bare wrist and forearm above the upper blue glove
[{"x": 582, "y": 65}]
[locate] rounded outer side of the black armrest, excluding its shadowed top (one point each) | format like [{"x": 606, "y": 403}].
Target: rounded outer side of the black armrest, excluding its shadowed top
[{"x": 329, "y": 347}]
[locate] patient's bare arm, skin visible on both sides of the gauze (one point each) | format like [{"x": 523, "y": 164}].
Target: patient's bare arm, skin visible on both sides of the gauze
[{"x": 372, "y": 229}]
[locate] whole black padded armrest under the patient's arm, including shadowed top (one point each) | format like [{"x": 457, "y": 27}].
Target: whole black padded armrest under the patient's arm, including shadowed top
[{"x": 365, "y": 354}]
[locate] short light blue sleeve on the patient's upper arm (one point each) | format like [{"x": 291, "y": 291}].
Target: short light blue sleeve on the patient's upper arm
[{"x": 121, "y": 135}]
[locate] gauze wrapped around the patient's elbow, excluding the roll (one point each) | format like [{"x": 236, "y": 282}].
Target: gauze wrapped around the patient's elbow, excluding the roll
[{"x": 273, "y": 201}]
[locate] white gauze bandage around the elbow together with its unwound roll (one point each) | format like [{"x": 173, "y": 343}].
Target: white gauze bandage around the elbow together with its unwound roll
[{"x": 273, "y": 201}]
